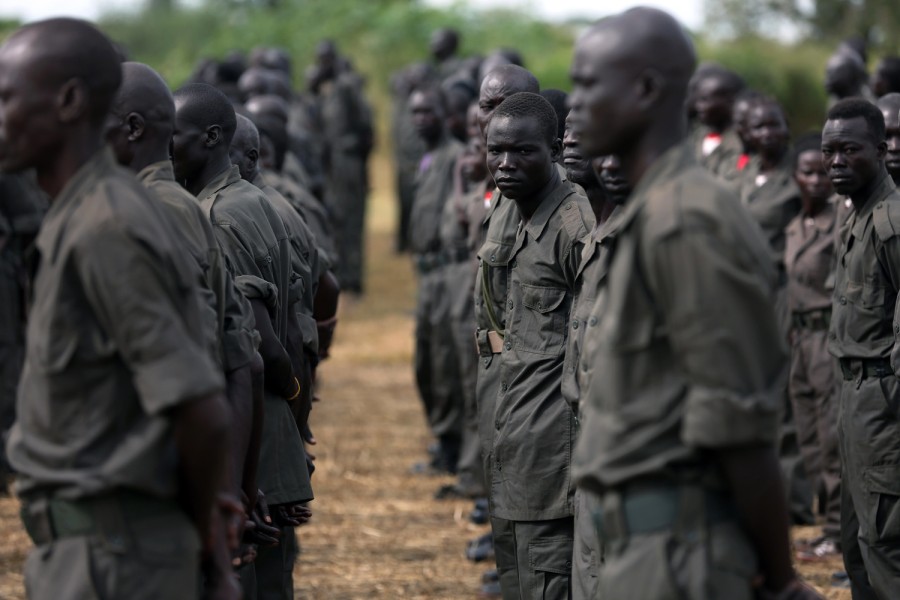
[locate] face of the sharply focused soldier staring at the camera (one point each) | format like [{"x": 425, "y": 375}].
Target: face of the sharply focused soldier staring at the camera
[{"x": 519, "y": 157}]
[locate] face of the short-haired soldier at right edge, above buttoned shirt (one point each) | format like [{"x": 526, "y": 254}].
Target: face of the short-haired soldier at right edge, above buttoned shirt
[{"x": 852, "y": 158}]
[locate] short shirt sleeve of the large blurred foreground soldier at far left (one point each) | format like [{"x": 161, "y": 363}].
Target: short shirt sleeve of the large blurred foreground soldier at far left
[{"x": 147, "y": 317}]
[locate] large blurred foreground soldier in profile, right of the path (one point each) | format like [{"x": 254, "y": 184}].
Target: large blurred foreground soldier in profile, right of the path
[{"x": 683, "y": 362}]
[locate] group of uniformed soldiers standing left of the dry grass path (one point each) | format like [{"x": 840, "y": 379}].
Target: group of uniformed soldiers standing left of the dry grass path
[{"x": 174, "y": 256}]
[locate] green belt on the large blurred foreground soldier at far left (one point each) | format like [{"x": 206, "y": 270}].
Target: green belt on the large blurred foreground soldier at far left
[{"x": 49, "y": 519}]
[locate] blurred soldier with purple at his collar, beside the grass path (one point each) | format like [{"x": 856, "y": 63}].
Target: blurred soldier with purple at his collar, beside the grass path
[{"x": 437, "y": 371}]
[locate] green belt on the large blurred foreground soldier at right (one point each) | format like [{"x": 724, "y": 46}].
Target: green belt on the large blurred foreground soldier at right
[{"x": 657, "y": 508}]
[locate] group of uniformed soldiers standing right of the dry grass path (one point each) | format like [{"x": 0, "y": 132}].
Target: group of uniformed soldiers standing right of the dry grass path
[{"x": 674, "y": 386}]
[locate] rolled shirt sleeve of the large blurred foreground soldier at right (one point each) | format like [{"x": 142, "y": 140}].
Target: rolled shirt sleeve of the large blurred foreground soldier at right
[{"x": 720, "y": 317}]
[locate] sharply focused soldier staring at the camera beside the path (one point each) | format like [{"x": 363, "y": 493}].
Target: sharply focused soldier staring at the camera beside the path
[{"x": 533, "y": 426}]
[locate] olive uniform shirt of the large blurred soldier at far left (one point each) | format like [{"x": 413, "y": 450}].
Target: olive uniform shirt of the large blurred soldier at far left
[{"x": 115, "y": 342}]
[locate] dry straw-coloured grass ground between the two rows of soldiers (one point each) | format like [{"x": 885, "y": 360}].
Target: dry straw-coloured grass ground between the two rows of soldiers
[{"x": 376, "y": 532}]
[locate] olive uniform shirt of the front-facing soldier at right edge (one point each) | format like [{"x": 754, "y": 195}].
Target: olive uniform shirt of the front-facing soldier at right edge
[{"x": 863, "y": 318}]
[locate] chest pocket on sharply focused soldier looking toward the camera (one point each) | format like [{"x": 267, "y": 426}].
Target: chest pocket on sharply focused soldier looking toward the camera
[{"x": 540, "y": 324}]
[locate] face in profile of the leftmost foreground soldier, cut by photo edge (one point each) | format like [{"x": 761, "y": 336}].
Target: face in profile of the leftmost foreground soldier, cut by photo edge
[{"x": 29, "y": 127}]
